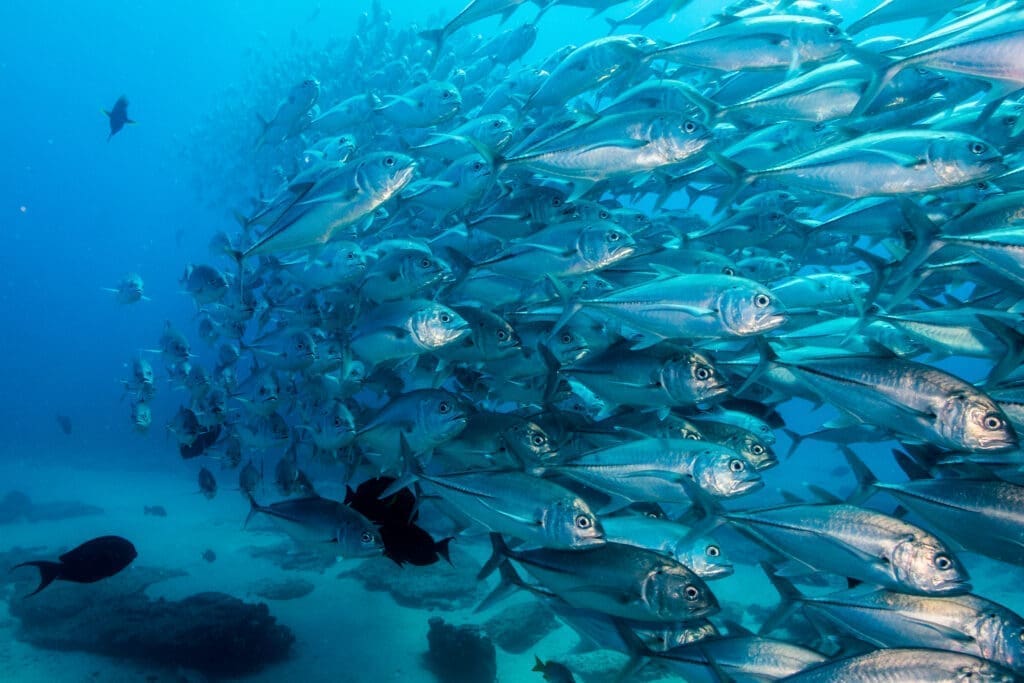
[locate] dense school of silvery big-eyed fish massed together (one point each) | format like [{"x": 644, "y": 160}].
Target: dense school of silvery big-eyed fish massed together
[{"x": 566, "y": 304}]
